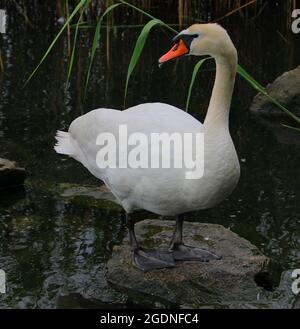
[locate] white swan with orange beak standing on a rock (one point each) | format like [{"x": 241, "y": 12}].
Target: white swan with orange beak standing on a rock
[{"x": 167, "y": 191}]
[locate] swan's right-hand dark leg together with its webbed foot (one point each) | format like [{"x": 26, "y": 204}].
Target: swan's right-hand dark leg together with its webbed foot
[{"x": 183, "y": 252}]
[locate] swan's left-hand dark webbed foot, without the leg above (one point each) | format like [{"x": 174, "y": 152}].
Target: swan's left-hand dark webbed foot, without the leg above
[{"x": 147, "y": 260}]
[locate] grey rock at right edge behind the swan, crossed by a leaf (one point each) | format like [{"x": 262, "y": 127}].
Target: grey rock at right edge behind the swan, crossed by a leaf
[{"x": 285, "y": 89}]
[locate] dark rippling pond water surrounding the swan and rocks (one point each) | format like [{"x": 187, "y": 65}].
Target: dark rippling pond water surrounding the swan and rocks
[{"x": 53, "y": 247}]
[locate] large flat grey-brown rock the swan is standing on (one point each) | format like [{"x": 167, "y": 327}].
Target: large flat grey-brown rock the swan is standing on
[{"x": 234, "y": 281}]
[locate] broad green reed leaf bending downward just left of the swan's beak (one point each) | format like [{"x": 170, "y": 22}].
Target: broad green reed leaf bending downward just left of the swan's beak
[{"x": 139, "y": 46}]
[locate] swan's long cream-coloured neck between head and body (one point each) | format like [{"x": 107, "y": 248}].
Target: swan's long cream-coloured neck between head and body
[{"x": 219, "y": 107}]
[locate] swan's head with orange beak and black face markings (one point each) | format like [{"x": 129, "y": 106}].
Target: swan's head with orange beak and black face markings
[{"x": 200, "y": 40}]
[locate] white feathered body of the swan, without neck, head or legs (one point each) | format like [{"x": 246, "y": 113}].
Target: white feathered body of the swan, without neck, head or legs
[{"x": 162, "y": 191}]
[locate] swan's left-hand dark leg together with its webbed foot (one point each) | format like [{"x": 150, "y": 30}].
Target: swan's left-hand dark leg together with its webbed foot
[{"x": 147, "y": 260}]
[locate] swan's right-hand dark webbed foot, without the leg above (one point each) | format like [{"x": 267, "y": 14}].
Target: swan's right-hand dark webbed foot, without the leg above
[{"x": 182, "y": 252}]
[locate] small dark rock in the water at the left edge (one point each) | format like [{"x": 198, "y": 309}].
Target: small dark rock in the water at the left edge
[{"x": 11, "y": 174}]
